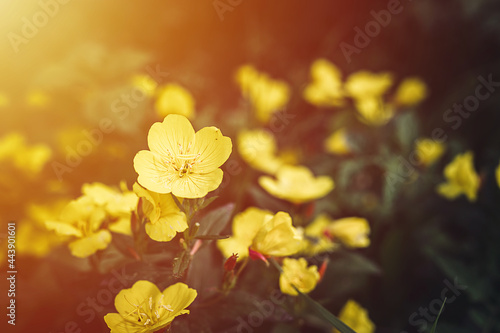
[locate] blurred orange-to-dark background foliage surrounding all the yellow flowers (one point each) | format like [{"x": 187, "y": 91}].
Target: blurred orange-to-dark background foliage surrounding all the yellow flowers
[{"x": 65, "y": 78}]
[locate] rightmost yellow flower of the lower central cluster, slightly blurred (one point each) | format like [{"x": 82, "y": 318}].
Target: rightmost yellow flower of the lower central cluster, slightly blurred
[{"x": 352, "y": 231}]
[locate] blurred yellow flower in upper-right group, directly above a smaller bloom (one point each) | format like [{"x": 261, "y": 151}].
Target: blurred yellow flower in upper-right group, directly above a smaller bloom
[{"x": 364, "y": 84}]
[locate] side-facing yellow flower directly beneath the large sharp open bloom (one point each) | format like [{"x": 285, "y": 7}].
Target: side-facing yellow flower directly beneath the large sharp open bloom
[{"x": 165, "y": 219}]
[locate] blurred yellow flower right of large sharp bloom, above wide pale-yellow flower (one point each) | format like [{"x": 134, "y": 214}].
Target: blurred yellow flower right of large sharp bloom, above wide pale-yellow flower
[{"x": 258, "y": 149}]
